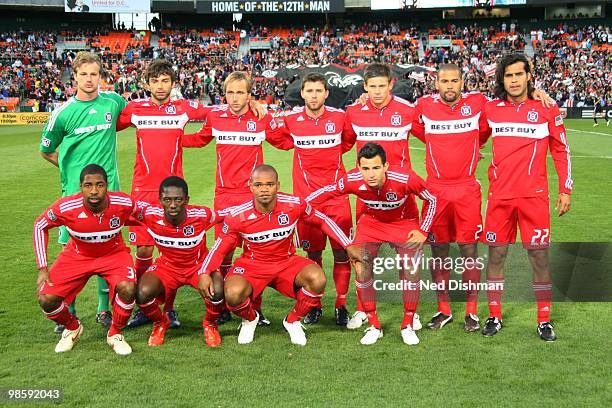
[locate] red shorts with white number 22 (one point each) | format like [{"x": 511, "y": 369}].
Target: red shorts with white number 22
[{"x": 532, "y": 214}]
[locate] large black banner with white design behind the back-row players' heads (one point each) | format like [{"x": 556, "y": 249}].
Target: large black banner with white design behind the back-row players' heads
[{"x": 346, "y": 84}]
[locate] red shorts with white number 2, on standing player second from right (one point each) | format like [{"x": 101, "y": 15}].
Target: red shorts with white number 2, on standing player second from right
[{"x": 458, "y": 216}]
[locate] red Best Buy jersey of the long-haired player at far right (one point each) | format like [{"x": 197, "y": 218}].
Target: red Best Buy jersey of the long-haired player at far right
[{"x": 522, "y": 134}]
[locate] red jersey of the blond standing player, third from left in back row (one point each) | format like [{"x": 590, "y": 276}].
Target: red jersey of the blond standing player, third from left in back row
[{"x": 239, "y": 145}]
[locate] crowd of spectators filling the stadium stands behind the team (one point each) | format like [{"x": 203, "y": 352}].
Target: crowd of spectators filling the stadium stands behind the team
[{"x": 573, "y": 64}]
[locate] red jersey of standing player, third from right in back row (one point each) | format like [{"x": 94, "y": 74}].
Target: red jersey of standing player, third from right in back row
[{"x": 388, "y": 126}]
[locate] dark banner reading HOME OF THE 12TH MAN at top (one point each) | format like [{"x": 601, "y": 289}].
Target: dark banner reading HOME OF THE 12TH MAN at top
[{"x": 270, "y": 6}]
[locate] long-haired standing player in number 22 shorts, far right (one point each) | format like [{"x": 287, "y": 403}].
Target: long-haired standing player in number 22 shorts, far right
[{"x": 522, "y": 131}]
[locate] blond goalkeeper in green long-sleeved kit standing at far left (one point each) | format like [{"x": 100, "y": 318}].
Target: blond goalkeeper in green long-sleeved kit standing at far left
[{"x": 84, "y": 130}]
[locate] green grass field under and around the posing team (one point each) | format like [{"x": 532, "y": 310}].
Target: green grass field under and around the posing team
[{"x": 448, "y": 368}]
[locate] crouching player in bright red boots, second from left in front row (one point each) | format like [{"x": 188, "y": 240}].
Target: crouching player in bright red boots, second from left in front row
[{"x": 178, "y": 230}]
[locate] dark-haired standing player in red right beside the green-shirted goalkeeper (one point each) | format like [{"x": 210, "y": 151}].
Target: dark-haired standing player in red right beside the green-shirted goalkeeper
[{"x": 160, "y": 138}]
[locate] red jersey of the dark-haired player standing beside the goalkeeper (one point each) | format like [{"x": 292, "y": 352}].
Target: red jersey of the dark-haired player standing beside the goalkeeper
[{"x": 159, "y": 138}]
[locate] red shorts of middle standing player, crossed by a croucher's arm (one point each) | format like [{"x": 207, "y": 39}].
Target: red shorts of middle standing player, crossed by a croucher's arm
[{"x": 312, "y": 239}]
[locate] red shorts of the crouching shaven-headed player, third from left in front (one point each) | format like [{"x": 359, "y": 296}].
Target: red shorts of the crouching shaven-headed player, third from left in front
[{"x": 278, "y": 275}]
